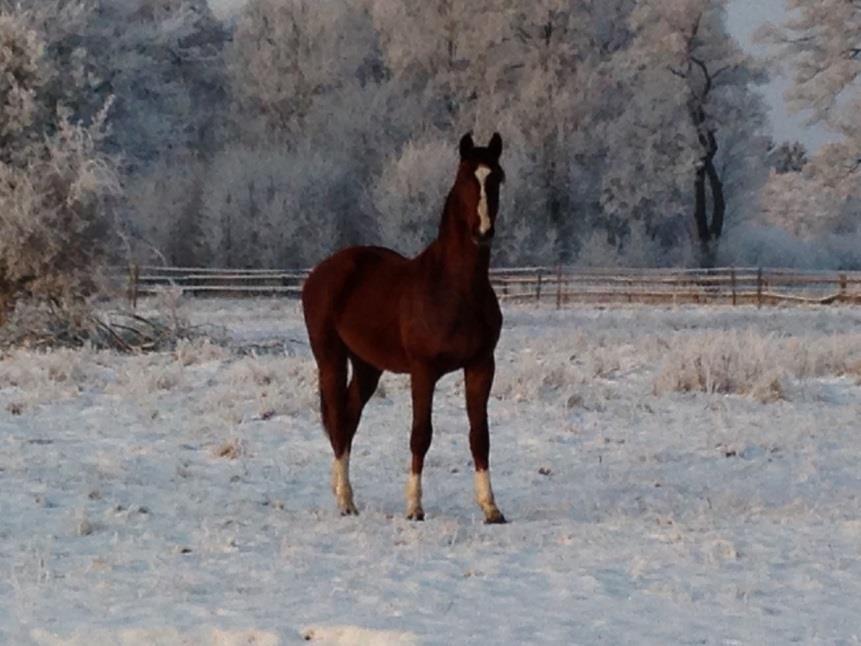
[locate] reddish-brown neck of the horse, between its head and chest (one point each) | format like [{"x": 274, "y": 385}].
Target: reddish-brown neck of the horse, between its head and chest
[{"x": 461, "y": 260}]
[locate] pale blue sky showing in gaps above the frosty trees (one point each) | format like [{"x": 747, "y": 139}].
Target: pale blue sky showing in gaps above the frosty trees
[{"x": 745, "y": 17}]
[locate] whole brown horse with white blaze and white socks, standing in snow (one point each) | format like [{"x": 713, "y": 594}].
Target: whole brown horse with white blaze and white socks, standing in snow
[{"x": 425, "y": 316}]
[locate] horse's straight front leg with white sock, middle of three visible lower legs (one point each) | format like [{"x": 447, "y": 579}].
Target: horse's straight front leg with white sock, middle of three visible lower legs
[{"x": 423, "y": 382}]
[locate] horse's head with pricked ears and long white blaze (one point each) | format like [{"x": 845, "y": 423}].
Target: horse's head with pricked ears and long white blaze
[{"x": 477, "y": 187}]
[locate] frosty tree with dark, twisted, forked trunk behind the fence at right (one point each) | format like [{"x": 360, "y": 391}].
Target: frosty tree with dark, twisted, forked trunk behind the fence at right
[{"x": 692, "y": 95}]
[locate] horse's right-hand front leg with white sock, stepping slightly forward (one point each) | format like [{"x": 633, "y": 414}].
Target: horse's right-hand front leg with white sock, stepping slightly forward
[{"x": 478, "y": 379}]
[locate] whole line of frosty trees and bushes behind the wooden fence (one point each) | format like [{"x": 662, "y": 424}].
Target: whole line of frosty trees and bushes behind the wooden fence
[{"x": 634, "y": 131}]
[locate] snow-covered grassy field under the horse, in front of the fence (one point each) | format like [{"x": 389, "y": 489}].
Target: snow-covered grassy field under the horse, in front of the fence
[{"x": 672, "y": 476}]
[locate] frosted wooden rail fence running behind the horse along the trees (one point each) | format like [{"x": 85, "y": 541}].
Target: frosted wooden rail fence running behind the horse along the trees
[{"x": 557, "y": 286}]
